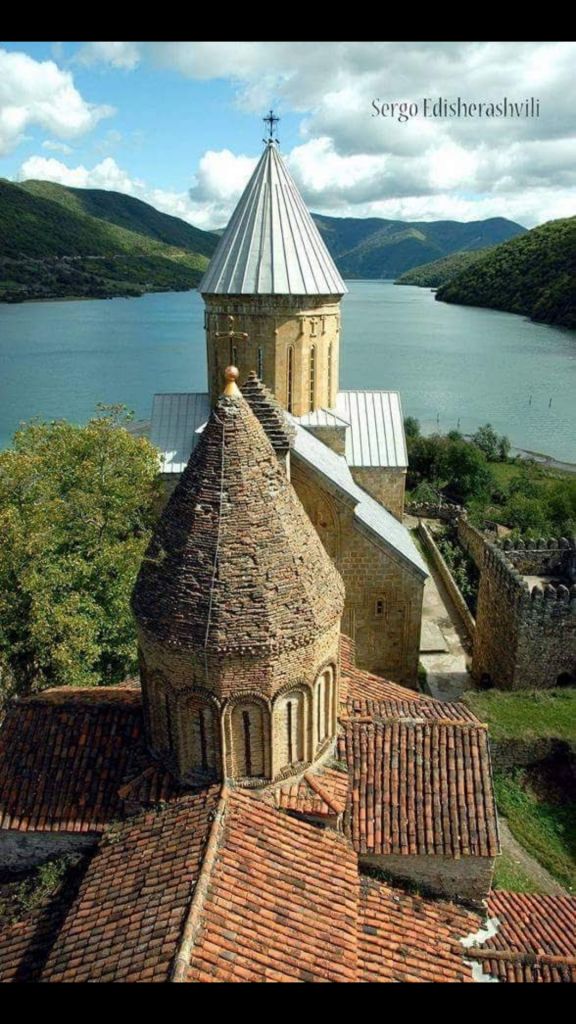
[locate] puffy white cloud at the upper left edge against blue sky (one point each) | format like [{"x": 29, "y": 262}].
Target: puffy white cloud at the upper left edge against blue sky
[{"x": 34, "y": 93}]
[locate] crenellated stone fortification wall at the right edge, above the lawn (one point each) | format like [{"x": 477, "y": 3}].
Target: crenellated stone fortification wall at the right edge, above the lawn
[{"x": 526, "y": 636}]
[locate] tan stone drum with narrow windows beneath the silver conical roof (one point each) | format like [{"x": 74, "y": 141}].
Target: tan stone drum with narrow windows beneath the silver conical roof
[{"x": 274, "y": 325}]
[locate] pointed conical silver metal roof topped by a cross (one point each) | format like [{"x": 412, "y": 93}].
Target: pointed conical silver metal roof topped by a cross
[{"x": 272, "y": 246}]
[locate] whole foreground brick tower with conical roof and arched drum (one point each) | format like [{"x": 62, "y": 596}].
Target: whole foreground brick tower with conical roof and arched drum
[{"x": 238, "y": 610}]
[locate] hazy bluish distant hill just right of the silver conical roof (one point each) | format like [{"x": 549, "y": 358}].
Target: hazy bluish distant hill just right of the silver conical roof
[{"x": 376, "y": 248}]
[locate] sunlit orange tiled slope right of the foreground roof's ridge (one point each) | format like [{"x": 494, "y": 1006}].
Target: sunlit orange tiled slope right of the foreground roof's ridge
[{"x": 281, "y": 903}]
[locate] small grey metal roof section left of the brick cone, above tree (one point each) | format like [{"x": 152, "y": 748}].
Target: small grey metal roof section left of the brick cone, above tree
[{"x": 176, "y": 426}]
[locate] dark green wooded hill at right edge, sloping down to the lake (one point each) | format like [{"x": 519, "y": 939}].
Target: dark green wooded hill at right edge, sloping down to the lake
[{"x": 534, "y": 276}]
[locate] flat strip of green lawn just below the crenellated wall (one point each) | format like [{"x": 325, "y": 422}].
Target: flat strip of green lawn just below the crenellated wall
[{"x": 526, "y": 715}]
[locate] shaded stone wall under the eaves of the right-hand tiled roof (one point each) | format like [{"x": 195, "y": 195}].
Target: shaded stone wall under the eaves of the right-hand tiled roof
[{"x": 468, "y": 879}]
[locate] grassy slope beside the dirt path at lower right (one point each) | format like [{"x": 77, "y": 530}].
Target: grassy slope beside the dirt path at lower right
[{"x": 546, "y": 830}]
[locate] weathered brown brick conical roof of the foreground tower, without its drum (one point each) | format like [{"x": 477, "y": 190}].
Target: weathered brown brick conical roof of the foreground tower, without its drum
[{"x": 235, "y": 565}]
